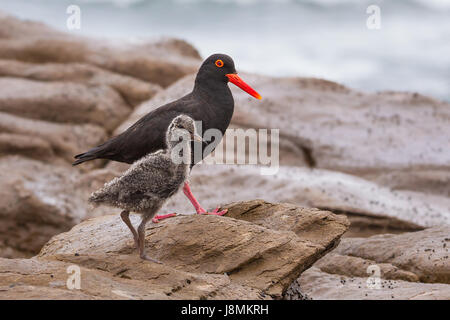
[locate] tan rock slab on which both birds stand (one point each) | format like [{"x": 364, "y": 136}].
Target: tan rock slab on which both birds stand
[{"x": 202, "y": 256}]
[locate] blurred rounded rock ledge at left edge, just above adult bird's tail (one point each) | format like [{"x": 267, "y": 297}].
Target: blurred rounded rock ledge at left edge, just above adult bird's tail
[{"x": 63, "y": 102}]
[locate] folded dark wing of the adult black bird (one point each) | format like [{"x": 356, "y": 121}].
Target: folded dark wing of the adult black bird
[{"x": 146, "y": 136}]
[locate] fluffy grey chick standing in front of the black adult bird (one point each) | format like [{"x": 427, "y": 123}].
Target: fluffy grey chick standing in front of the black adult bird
[{"x": 151, "y": 180}]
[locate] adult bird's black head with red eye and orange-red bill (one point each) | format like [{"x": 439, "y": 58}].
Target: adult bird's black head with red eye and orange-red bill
[{"x": 219, "y": 68}]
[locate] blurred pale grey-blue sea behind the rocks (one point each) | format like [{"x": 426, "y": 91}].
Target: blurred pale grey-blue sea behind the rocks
[{"x": 317, "y": 38}]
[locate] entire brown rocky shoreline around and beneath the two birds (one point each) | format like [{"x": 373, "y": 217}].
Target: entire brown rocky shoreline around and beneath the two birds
[{"x": 363, "y": 180}]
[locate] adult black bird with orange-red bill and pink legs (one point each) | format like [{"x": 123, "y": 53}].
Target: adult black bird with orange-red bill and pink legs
[{"x": 210, "y": 102}]
